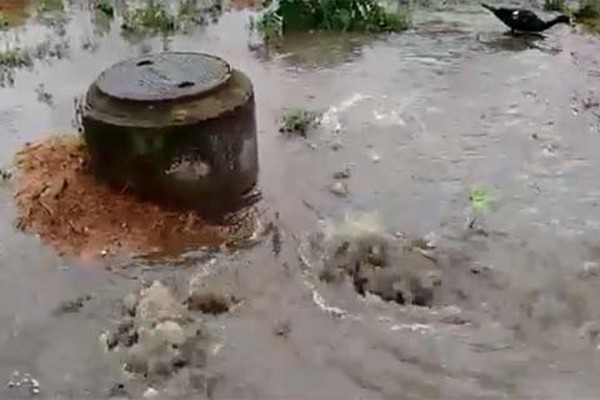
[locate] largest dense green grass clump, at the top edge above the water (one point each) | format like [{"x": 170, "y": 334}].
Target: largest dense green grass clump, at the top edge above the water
[{"x": 283, "y": 16}]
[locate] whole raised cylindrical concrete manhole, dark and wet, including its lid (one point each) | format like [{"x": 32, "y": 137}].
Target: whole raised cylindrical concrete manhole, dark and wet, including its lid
[{"x": 175, "y": 128}]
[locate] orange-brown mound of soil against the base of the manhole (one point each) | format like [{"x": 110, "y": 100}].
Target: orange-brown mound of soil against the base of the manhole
[{"x": 77, "y": 214}]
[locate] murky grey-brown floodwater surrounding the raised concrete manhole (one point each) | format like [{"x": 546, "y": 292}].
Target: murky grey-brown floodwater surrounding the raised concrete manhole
[{"x": 418, "y": 118}]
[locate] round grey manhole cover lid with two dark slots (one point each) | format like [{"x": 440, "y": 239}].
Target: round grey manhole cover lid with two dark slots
[{"x": 166, "y": 76}]
